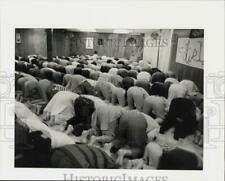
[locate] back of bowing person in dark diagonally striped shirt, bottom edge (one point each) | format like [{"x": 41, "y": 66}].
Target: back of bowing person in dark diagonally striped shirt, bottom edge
[{"x": 81, "y": 156}]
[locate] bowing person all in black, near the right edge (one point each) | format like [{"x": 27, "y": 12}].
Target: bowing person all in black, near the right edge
[{"x": 182, "y": 116}]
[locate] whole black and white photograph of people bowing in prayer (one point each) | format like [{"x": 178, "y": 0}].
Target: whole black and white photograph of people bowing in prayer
[{"x": 109, "y": 98}]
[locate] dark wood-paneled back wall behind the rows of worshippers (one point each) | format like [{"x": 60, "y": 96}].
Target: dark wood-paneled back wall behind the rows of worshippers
[{"x": 66, "y": 43}]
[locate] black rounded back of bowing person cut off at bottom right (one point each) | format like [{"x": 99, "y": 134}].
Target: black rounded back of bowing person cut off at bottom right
[{"x": 178, "y": 159}]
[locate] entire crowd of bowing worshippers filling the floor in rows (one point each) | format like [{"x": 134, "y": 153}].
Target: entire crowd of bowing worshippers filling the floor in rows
[{"x": 105, "y": 112}]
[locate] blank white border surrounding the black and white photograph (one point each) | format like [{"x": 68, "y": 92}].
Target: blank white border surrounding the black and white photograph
[{"x": 207, "y": 15}]
